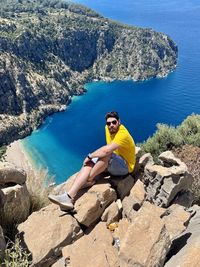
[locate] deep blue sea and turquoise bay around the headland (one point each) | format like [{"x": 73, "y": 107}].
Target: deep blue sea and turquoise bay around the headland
[{"x": 65, "y": 138}]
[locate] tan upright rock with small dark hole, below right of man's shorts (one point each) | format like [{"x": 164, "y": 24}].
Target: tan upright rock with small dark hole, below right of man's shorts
[{"x": 134, "y": 200}]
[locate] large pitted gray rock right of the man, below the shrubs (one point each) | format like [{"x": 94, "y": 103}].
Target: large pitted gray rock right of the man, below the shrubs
[{"x": 165, "y": 182}]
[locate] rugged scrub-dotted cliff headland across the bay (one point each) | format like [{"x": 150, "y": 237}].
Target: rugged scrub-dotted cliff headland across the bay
[{"x": 49, "y": 49}]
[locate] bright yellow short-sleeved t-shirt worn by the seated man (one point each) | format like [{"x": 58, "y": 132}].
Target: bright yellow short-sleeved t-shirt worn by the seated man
[{"x": 126, "y": 143}]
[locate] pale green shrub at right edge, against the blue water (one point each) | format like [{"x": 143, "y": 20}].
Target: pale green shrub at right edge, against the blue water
[{"x": 167, "y": 137}]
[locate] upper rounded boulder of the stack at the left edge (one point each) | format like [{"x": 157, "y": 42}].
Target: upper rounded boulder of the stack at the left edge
[{"x": 9, "y": 173}]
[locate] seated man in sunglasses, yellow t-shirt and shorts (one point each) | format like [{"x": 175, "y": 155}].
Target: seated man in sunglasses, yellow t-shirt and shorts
[{"x": 117, "y": 157}]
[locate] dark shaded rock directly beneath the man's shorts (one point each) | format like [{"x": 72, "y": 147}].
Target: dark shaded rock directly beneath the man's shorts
[{"x": 123, "y": 185}]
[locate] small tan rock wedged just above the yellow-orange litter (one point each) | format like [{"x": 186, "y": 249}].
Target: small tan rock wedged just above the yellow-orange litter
[{"x": 111, "y": 214}]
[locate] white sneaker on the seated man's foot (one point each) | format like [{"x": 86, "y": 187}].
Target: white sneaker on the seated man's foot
[{"x": 64, "y": 201}]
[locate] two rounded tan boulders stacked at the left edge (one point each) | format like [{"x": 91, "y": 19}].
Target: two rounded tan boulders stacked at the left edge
[{"x": 15, "y": 198}]
